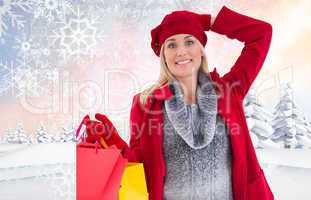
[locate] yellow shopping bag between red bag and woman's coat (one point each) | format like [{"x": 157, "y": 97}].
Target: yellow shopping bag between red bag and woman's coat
[{"x": 133, "y": 184}]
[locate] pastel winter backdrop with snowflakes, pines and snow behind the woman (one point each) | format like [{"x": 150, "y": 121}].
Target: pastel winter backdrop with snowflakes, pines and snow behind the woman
[{"x": 63, "y": 59}]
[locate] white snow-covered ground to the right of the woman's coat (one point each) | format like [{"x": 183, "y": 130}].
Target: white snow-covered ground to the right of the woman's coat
[{"x": 288, "y": 171}]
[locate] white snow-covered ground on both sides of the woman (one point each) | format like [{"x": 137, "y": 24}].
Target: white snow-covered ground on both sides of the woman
[{"x": 47, "y": 171}]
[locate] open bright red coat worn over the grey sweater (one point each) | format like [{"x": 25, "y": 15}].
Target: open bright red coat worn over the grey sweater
[{"x": 248, "y": 179}]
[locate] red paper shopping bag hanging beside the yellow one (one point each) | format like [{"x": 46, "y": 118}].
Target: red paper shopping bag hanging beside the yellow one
[{"x": 99, "y": 171}]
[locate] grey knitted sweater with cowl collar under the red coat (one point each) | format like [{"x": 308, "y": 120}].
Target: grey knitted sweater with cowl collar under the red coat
[{"x": 196, "y": 147}]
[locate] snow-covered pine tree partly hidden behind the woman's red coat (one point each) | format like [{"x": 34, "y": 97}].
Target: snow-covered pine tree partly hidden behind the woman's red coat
[{"x": 258, "y": 121}]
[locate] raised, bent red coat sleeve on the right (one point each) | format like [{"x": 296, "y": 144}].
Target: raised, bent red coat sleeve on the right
[{"x": 256, "y": 35}]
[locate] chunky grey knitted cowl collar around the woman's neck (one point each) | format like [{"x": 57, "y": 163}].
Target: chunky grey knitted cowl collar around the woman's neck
[{"x": 202, "y": 133}]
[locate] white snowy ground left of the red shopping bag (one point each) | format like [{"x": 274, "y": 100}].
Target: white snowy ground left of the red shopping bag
[{"x": 41, "y": 171}]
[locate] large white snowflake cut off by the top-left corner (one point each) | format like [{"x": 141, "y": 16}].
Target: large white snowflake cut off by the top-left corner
[{"x": 9, "y": 14}]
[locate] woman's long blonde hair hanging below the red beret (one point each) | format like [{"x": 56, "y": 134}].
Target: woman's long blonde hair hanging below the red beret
[{"x": 166, "y": 76}]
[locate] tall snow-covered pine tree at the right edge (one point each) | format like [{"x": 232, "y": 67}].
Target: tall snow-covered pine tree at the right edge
[{"x": 289, "y": 123}]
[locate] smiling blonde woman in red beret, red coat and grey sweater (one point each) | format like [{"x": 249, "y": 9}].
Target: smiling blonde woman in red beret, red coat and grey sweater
[{"x": 189, "y": 129}]
